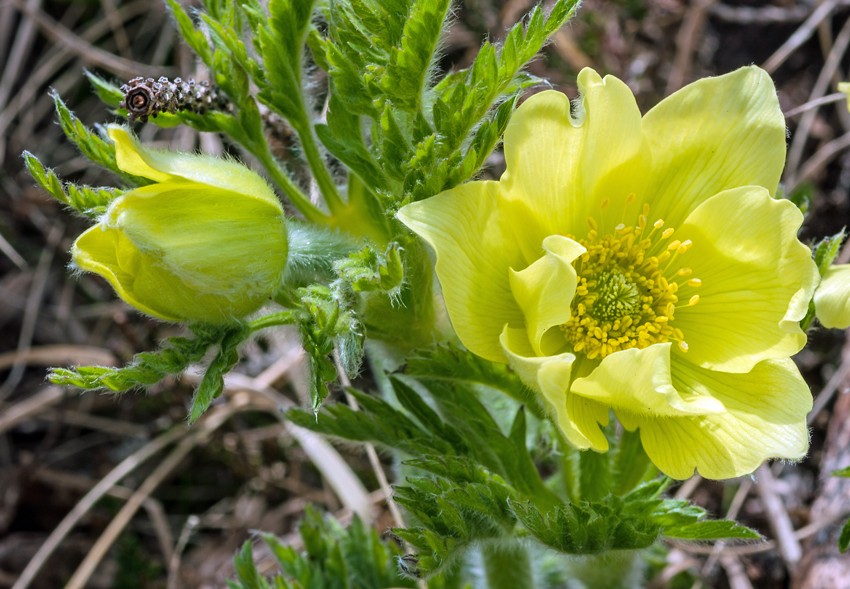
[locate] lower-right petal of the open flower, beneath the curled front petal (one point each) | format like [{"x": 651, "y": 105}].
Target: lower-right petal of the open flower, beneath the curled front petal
[{"x": 765, "y": 418}]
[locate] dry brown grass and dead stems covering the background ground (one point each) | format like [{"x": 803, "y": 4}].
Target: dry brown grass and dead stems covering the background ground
[{"x": 117, "y": 492}]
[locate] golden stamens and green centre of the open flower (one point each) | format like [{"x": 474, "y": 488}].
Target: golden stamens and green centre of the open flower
[{"x": 629, "y": 286}]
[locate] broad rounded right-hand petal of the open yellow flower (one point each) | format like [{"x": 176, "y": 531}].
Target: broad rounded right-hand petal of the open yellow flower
[{"x": 757, "y": 279}]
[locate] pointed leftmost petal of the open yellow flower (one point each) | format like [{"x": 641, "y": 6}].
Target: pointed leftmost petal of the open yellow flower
[{"x": 476, "y": 245}]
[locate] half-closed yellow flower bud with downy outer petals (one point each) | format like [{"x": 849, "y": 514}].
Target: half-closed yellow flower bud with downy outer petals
[{"x": 206, "y": 242}]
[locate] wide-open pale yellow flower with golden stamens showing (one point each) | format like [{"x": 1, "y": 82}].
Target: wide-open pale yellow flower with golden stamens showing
[{"x": 640, "y": 265}]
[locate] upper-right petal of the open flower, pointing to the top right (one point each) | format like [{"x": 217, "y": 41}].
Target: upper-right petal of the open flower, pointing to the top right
[{"x": 715, "y": 134}]
